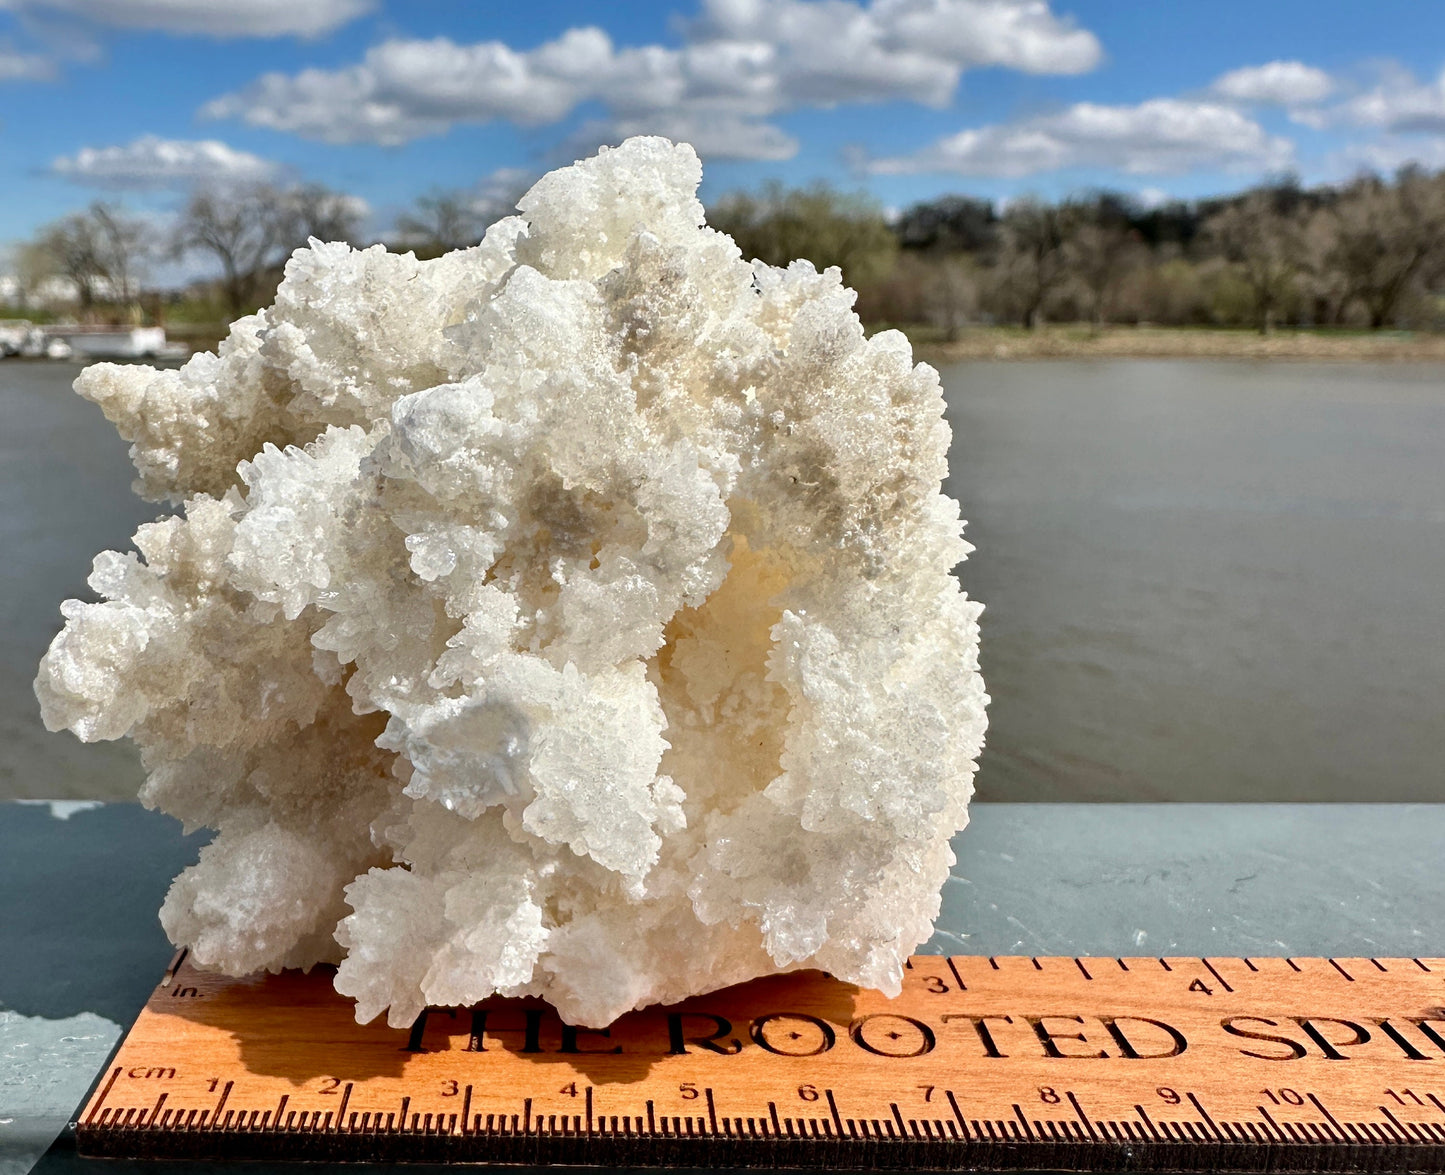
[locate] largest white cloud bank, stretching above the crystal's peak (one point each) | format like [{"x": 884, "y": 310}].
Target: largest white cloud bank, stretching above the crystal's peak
[{"x": 741, "y": 64}]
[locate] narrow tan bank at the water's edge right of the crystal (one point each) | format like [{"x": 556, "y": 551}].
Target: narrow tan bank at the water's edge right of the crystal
[{"x": 1079, "y": 342}]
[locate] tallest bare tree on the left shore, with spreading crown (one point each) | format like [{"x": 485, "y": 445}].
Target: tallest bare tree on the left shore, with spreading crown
[{"x": 245, "y": 231}]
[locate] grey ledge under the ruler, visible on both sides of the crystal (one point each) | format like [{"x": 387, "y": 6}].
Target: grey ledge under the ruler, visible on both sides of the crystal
[{"x": 79, "y": 900}]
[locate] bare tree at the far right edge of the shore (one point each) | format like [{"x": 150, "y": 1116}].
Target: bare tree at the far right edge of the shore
[{"x": 1385, "y": 236}]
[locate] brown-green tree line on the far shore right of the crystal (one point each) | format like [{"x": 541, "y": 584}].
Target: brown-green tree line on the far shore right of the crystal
[{"x": 1366, "y": 254}]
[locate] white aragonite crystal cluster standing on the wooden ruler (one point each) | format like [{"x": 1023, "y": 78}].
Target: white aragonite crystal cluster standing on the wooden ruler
[{"x": 569, "y": 616}]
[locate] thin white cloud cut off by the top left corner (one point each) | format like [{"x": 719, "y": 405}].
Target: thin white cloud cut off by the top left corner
[{"x": 210, "y": 18}]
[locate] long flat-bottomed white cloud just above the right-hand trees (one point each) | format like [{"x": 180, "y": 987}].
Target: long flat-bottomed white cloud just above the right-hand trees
[{"x": 1161, "y": 137}]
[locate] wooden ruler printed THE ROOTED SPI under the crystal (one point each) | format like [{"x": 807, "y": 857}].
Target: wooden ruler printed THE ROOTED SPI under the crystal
[{"x": 1164, "y": 1064}]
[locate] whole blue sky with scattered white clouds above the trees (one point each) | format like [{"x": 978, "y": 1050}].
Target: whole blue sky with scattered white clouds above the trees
[{"x": 139, "y": 100}]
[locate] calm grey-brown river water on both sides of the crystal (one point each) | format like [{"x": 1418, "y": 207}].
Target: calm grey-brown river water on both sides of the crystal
[{"x": 1203, "y": 580}]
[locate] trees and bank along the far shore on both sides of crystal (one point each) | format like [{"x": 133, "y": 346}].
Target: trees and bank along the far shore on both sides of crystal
[{"x": 1280, "y": 271}]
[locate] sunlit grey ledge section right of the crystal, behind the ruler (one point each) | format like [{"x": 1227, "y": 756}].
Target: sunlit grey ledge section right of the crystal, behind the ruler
[{"x": 1197, "y": 879}]
